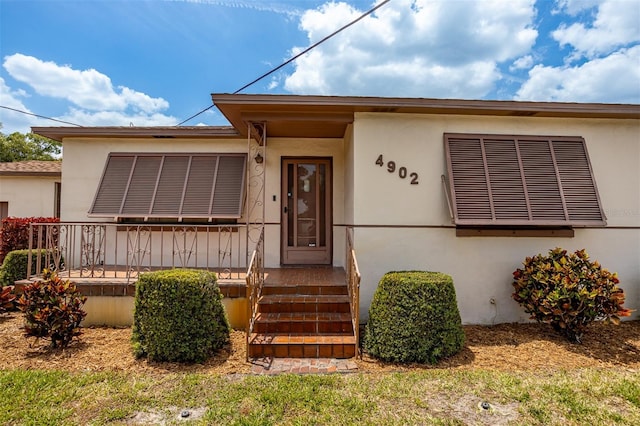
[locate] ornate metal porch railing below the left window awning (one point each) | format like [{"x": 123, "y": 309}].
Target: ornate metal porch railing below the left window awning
[{"x": 109, "y": 250}]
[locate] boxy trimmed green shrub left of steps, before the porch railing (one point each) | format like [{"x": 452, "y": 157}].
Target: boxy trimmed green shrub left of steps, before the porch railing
[{"x": 178, "y": 316}]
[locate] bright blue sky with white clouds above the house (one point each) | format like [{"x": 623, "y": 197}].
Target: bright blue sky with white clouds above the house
[{"x": 142, "y": 63}]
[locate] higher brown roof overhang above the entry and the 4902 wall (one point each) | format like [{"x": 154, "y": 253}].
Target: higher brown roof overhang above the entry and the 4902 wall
[{"x": 329, "y": 116}]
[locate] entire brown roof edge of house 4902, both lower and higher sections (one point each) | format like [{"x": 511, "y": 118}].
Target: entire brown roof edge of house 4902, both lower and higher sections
[{"x": 329, "y": 116}]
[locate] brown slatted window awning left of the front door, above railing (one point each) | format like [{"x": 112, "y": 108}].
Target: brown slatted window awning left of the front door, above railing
[{"x": 171, "y": 186}]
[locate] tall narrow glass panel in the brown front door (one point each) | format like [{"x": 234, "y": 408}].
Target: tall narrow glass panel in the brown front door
[{"x": 307, "y": 205}]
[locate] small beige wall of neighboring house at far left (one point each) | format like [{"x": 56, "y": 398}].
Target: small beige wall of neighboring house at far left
[{"x": 29, "y": 196}]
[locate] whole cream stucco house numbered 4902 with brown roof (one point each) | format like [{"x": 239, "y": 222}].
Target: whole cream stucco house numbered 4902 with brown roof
[{"x": 465, "y": 187}]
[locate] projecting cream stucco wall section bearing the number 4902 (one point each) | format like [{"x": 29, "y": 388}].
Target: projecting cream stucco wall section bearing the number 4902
[{"x": 400, "y": 226}]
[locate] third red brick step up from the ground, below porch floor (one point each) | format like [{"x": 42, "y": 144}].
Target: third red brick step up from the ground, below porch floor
[{"x": 303, "y": 303}]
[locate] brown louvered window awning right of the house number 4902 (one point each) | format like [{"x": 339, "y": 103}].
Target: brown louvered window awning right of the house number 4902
[{"x": 521, "y": 180}]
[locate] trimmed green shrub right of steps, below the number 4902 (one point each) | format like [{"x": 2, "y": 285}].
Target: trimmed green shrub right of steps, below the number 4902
[{"x": 414, "y": 317}]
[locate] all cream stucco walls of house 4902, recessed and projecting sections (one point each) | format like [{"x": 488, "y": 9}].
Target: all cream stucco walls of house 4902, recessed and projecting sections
[{"x": 401, "y": 226}]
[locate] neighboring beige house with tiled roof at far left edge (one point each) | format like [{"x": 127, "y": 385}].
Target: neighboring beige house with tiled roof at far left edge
[{"x": 30, "y": 189}]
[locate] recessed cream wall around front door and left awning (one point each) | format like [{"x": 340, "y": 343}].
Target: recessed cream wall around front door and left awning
[{"x": 84, "y": 162}]
